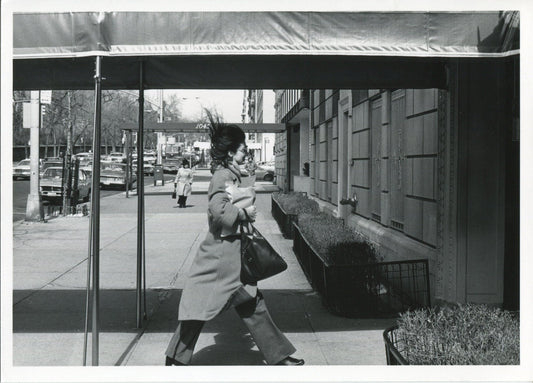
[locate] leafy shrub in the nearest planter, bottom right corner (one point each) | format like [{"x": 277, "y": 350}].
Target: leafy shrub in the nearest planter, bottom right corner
[{"x": 459, "y": 335}]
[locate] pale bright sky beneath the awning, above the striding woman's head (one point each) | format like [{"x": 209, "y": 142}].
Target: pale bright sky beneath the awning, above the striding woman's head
[{"x": 227, "y": 102}]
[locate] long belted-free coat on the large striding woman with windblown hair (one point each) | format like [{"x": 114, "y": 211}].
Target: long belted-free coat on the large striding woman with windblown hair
[{"x": 215, "y": 272}]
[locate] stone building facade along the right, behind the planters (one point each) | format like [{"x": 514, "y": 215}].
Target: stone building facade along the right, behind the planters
[{"x": 422, "y": 173}]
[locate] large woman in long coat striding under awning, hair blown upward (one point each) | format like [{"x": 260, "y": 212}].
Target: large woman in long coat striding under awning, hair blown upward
[{"x": 213, "y": 283}]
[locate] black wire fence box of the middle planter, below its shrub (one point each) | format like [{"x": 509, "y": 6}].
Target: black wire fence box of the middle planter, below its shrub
[{"x": 364, "y": 290}]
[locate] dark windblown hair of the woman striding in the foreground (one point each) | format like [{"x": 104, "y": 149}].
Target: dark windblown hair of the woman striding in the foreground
[{"x": 225, "y": 138}]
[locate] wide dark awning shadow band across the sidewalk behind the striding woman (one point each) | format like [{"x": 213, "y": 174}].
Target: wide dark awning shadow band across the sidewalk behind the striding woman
[{"x": 50, "y": 311}]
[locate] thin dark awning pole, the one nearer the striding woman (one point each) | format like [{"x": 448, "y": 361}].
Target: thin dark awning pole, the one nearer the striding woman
[{"x": 140, "y": 196}]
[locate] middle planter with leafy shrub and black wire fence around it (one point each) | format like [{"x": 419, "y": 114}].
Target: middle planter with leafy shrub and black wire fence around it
[{"x": 343, "y": 267}]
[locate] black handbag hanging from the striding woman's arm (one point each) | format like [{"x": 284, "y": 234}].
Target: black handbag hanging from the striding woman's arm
[{"x": 259, "y": 260}]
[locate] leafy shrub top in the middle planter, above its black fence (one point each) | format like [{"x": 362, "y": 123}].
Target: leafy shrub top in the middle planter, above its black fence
[{"x": 334, "y": 241}]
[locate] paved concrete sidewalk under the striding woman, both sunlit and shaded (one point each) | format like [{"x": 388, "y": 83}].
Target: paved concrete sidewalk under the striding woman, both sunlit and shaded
[{"x": 49, "y": 281}]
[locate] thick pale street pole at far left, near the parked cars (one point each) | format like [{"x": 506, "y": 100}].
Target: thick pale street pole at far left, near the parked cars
[{"x": 34, "y": 206}]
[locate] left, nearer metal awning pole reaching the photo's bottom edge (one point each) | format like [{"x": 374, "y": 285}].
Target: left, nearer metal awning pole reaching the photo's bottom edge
[{"x": 95, "y": 211}]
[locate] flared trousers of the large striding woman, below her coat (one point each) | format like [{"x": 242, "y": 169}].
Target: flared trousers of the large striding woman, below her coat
[{"x": 254, "y": 313}]
